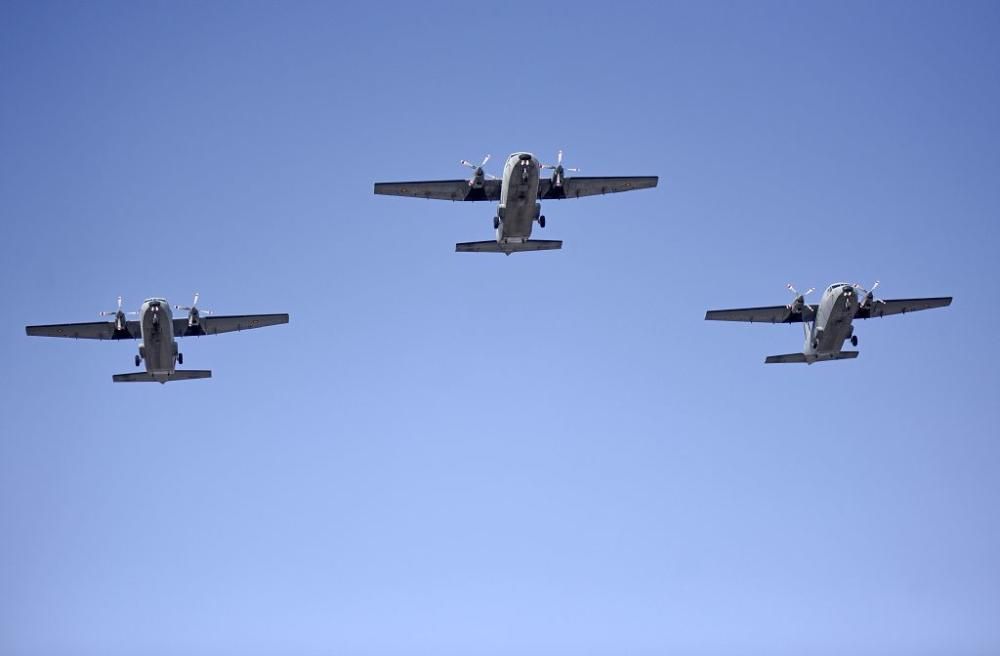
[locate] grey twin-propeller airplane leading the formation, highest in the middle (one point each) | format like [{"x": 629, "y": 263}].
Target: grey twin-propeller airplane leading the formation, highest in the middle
[{"x": 518, "y": 193}]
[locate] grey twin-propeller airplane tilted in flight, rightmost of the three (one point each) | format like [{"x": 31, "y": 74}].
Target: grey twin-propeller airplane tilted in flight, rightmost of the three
[{"x": 827, "y": 325}]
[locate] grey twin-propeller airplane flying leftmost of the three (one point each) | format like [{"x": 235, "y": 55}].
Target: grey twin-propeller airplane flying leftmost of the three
[{"x": 157, "y": 328}]
